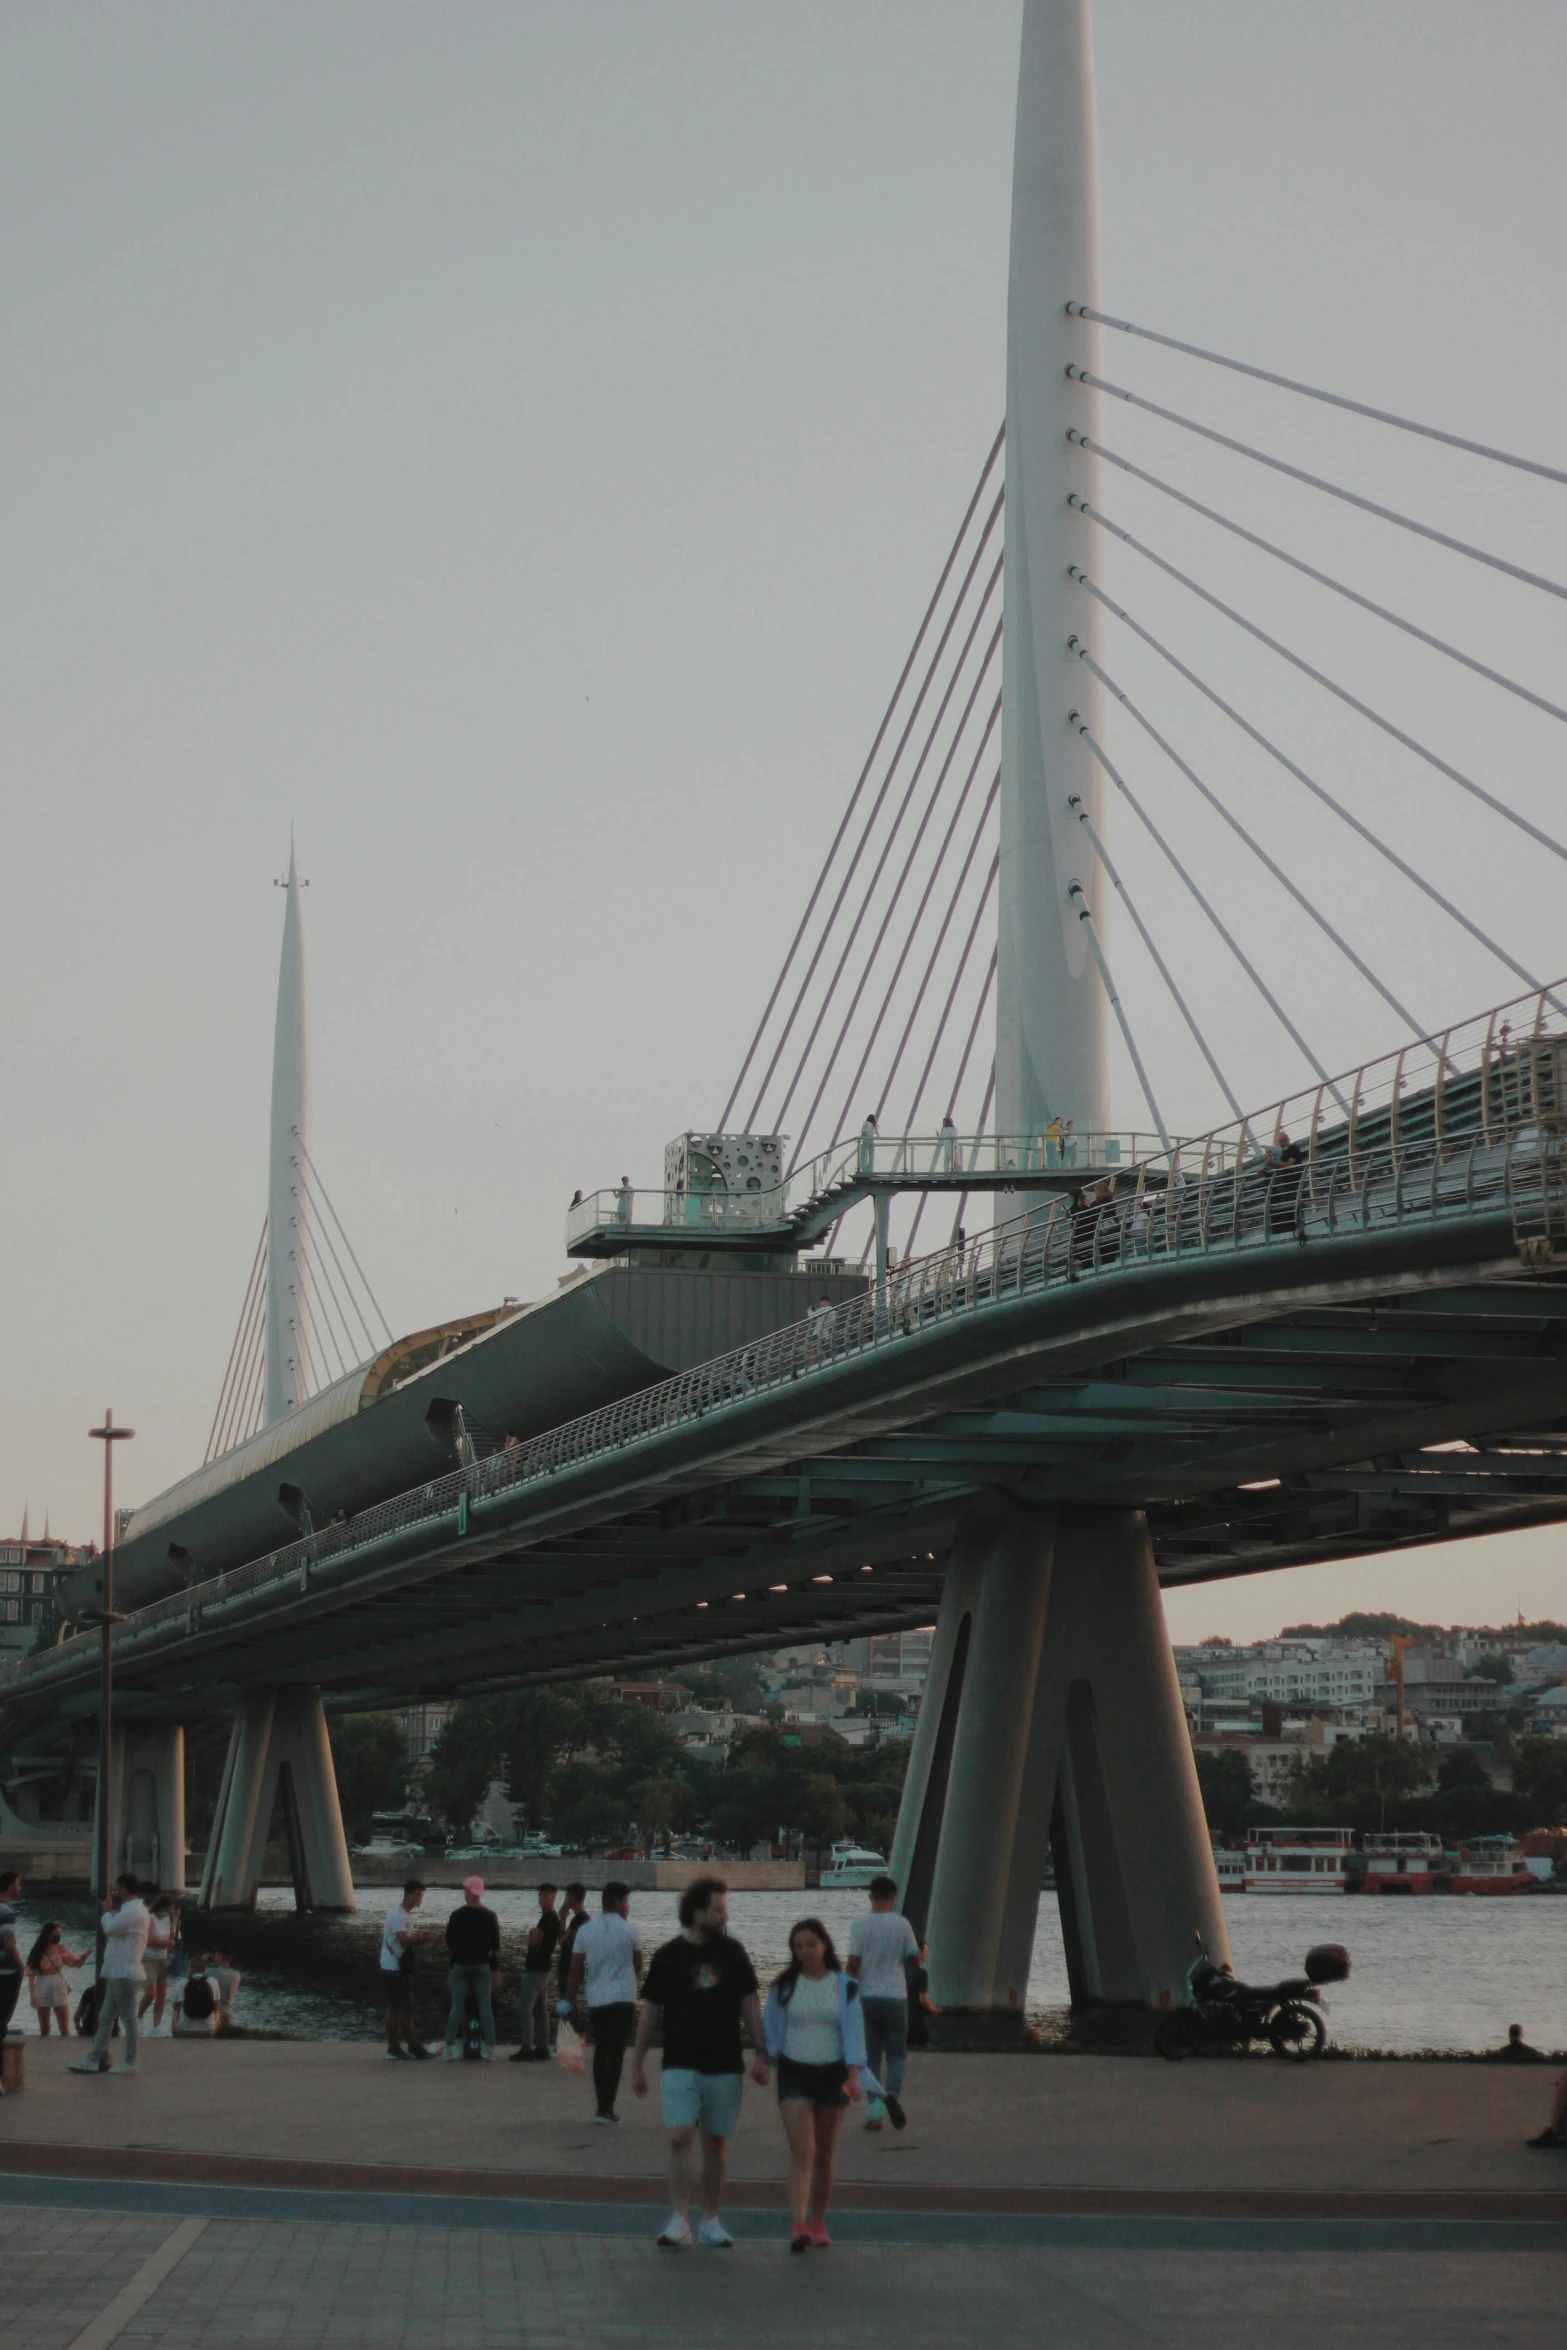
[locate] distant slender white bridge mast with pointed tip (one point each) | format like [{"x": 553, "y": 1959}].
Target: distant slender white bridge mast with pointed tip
[{"x": 288, "y": 1258}]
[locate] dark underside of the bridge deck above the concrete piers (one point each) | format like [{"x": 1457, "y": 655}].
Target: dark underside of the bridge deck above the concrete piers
[{"x": 1326, "y": 1432}]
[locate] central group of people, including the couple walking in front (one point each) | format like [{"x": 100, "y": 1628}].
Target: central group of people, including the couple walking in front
[{"x": 833, "y": 2034}]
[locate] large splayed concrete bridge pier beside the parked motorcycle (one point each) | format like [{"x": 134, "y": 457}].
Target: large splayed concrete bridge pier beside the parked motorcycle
[{"x": 1054, "y": 1724}]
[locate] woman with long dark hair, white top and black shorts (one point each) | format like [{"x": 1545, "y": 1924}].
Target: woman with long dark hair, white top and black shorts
[{"x": 814, "y": 2034}]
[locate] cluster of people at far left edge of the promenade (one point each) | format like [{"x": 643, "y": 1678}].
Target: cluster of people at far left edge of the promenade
[{"x": 144, "y": 1968}]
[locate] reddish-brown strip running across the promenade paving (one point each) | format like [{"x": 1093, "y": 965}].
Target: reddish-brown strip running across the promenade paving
[{"x": 168, "y": 2166}]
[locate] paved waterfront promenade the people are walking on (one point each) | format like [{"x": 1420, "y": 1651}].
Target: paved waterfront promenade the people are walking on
[{"x": 314, "y": 2194}]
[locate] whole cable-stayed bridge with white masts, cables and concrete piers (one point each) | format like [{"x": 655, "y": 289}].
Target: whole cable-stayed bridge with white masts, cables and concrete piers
[{"x": 798, "y": 1390}]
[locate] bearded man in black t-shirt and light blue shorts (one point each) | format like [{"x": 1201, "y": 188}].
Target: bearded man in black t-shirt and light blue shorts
[{"x": 701, "y": 1987}]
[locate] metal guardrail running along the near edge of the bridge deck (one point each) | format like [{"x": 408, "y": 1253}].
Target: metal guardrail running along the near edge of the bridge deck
[{"x": 1270, "y": 1202}]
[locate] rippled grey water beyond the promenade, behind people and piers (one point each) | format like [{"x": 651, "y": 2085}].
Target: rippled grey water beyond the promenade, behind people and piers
[{"x": 1427, "y": 1973}]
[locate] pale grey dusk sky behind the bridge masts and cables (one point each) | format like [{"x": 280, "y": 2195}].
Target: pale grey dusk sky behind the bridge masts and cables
[{"x": 513, "y": 445}]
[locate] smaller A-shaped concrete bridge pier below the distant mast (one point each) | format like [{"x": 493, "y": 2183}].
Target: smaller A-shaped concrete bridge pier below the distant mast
[{"x": 278, "y": 1745}]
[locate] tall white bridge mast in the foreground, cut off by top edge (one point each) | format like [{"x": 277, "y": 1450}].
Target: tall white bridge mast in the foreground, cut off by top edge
[{"x": 1049, "y": 1000}]
